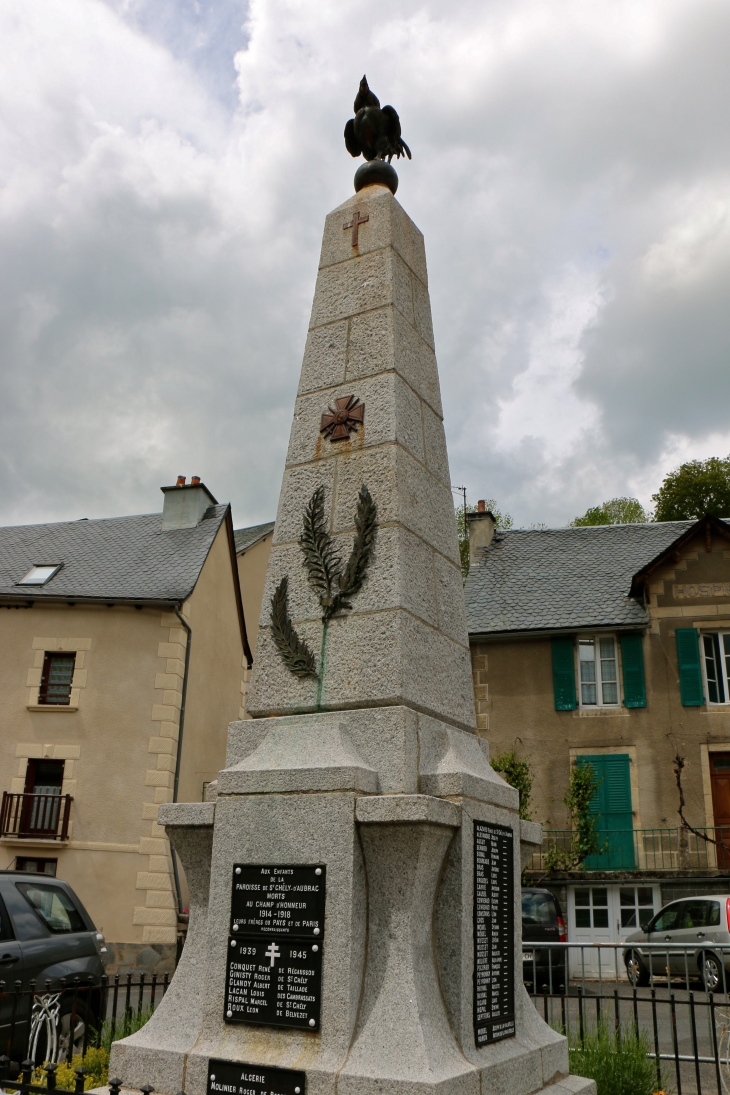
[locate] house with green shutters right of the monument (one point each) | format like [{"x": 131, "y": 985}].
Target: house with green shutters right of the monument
[{"x": 610, "y": 647}]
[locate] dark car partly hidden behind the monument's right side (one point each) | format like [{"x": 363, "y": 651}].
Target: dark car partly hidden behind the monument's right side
[{"x": 542, "y": 923}]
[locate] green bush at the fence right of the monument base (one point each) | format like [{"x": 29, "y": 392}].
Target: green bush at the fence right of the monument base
[{"x": 616, "y": 1059}]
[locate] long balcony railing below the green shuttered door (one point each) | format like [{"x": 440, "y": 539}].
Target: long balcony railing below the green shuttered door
[{"x": 677, "y": 849}]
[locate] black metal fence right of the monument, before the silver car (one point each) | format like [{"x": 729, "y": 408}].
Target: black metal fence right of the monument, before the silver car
[{"x": 674, "y": 997}]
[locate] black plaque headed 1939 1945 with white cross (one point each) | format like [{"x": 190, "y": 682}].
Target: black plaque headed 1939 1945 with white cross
[{"x": 274, "y": 982}]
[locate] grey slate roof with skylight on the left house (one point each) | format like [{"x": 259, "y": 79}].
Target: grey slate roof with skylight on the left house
[{"x": 114, "y": 559}]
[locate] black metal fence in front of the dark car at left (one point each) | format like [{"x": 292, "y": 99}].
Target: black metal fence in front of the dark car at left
[{"x": 61, "y": 1020}]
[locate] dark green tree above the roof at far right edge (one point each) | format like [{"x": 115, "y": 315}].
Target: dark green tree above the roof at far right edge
[{"x": 693, "y": 490}]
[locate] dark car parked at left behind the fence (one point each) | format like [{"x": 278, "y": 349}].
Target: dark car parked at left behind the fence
[{"x": 48, "y": 938}]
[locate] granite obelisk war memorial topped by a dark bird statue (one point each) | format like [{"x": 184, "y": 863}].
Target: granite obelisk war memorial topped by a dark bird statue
[{"x": 355, "y": 877}]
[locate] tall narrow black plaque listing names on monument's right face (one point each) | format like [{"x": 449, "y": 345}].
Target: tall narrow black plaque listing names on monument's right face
[{"x": 494, "y": 933}]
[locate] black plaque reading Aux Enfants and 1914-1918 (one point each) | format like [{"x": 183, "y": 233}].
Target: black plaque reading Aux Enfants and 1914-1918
[{"x": 279, "y": 901}]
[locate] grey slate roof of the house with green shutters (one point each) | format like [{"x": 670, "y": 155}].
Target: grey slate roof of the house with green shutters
[{"x": 553, "y": 580}]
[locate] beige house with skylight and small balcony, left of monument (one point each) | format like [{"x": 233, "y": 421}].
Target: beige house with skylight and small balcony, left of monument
[{"x": 123, "y": 654}]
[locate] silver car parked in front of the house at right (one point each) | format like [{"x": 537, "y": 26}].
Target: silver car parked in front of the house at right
[{"x": 702, "y": 926}]
